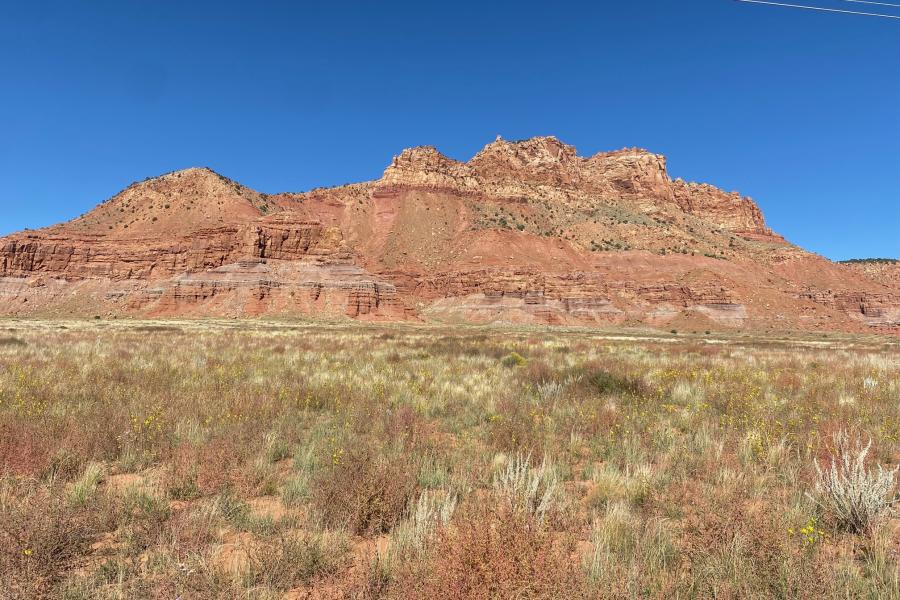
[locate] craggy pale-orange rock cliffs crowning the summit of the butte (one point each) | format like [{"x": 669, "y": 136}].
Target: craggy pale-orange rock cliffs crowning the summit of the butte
[{"x": 546, "y": 169}]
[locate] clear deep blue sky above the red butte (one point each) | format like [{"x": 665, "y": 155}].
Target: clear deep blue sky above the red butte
[{"x": 800, "y": 110}]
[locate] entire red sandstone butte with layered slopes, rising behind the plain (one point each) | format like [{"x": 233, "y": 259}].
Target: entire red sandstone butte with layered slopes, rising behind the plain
[{"x": 524, "y": 232}]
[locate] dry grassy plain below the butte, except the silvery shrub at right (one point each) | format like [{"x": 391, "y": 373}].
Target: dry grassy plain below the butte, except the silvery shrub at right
[{"x": 283, "y": 460}]
